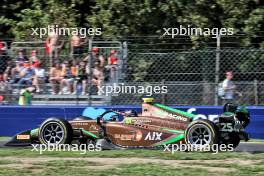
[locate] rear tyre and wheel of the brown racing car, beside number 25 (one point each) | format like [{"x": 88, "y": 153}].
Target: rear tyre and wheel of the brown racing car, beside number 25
[{"x": 201, "y": 133}]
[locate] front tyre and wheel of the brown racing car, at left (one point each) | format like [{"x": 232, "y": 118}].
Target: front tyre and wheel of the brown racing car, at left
[{"x": 55, "y": 131}]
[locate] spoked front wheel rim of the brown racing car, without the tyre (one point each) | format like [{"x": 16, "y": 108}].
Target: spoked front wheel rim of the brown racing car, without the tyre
[{"x": 53, "y": 133}]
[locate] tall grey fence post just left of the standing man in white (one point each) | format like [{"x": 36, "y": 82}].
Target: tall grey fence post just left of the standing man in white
[{"x": 217, "y": 66}]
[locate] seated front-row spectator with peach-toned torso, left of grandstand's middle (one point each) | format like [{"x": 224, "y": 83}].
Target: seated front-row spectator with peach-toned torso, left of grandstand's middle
[{"x": 55, "y": 77}]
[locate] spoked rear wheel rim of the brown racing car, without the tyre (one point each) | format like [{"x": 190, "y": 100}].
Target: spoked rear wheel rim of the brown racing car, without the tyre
[{"x": 199, "y": 135}]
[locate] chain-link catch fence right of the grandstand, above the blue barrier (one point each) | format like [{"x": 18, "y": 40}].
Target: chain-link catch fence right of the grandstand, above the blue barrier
[{"x": 193, "y": 76}]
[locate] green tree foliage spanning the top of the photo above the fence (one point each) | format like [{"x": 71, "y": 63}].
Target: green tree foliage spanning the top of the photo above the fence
[{"x": 135, "y": 18}]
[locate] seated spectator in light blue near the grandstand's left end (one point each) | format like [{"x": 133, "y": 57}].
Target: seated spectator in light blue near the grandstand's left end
[{"x": 27, "y": 75}]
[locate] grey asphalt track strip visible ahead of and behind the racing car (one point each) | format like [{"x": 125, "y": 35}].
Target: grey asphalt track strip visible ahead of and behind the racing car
[{"x": 252, "y": 147}]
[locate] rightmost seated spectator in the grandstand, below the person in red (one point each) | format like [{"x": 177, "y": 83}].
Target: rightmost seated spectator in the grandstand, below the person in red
[{"x": 98, "y": 74}]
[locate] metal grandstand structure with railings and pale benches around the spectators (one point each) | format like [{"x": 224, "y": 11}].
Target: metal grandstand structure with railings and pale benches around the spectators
[{"x": 45, "y": 97}]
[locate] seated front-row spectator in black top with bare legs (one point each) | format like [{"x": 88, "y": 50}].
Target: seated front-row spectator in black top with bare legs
[{"x": 81, "y": 78}]
